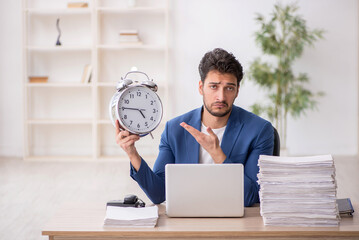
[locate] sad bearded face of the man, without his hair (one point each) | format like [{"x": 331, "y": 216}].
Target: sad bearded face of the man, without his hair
[{"x": 219, "y": 92}]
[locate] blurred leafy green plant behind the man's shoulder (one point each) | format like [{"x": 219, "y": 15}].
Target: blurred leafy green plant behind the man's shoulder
[{"x": 283, "y": 37}]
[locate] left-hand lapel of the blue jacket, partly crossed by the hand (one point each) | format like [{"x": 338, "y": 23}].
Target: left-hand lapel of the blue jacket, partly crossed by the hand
[{"x": 192, "y": 144}]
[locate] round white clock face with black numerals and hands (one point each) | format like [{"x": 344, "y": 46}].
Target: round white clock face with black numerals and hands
[{"x": 139, "y": 109}]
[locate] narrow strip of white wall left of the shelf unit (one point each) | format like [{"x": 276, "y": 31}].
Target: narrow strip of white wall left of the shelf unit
[{"x": 11, "y": 103}]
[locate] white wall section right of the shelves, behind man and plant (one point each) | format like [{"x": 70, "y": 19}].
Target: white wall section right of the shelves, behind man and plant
[{"x": 201, "y": 25}]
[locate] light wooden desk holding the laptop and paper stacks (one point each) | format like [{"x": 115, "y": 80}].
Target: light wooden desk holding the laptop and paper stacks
[{"x": 86, "y": 222}]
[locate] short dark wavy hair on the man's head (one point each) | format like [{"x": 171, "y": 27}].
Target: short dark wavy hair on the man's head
[{"x": 222, "y": 61}]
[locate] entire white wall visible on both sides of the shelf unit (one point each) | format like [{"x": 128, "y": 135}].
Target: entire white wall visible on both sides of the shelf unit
[{"x": 201, "y": 25}]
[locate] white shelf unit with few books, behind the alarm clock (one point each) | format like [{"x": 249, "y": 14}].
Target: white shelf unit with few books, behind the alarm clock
[{"x": 65, "y": 119}]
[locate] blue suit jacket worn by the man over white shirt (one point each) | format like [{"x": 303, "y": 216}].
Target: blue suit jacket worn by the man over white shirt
[{"x": 245, "y": 138}]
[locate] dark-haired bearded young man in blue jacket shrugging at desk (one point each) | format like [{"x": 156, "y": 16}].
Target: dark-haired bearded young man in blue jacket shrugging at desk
[{"x": 218, "y": 132}]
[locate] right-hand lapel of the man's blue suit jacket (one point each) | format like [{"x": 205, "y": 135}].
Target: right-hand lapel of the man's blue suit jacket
[{"x": 234, "y": 126}]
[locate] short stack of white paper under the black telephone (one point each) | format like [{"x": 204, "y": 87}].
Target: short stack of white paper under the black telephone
[{"x": 131, "y": 216}]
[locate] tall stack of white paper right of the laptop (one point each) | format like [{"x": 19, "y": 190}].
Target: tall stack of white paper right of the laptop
[{"x": 298, "y": 191}]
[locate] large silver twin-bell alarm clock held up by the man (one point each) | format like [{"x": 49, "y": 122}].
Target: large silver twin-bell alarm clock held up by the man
[{"x": 136, "y": 105}]
